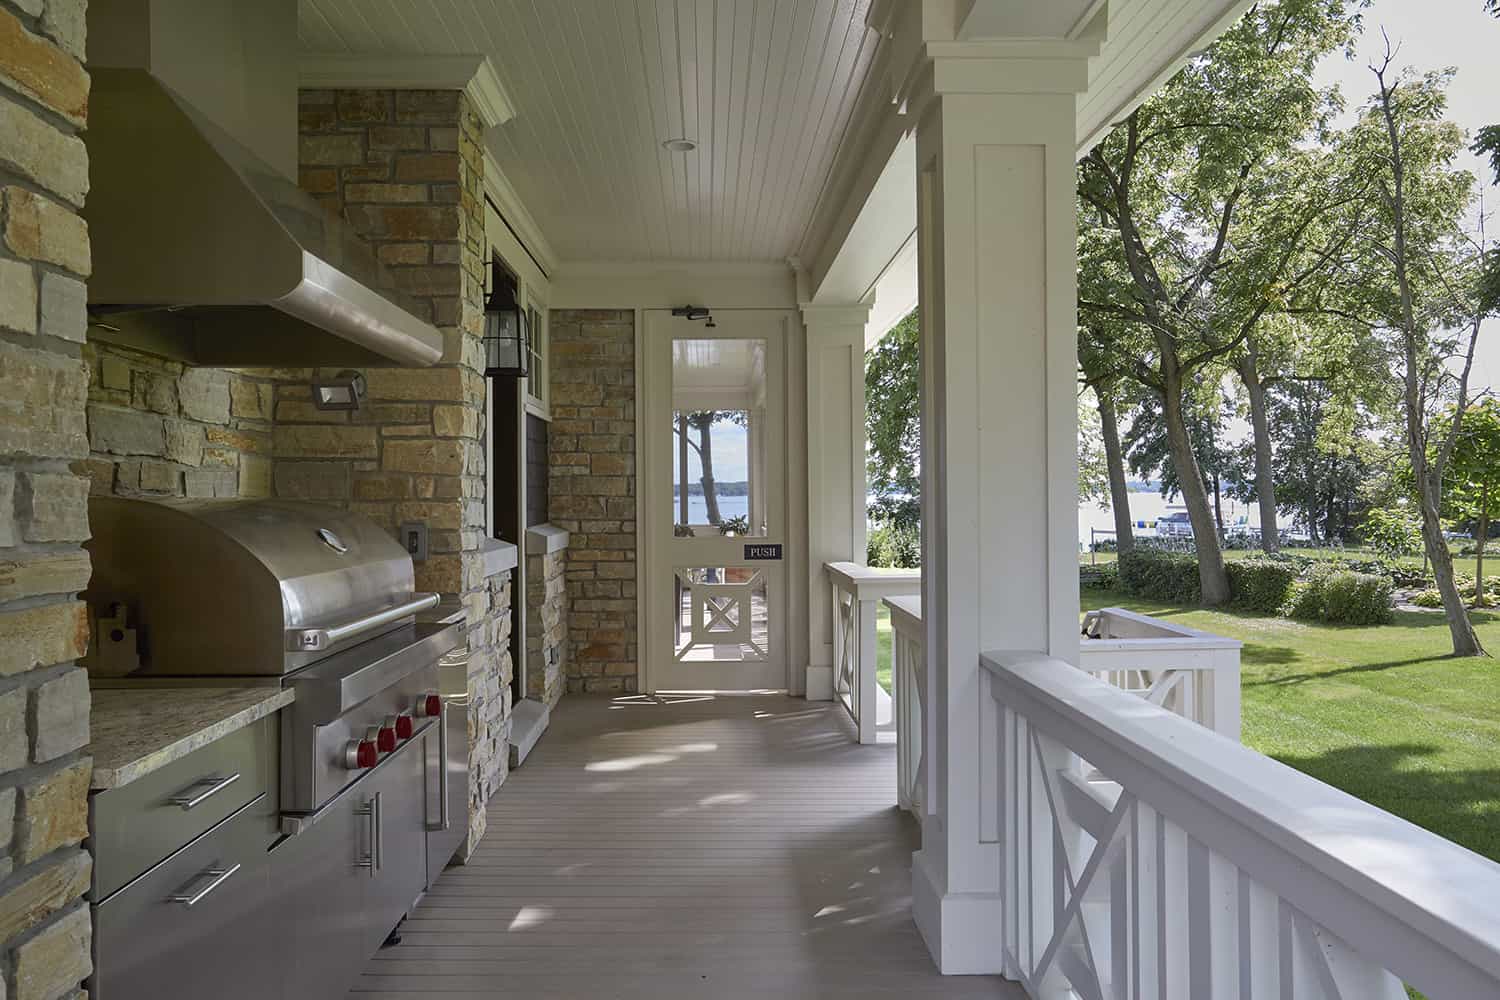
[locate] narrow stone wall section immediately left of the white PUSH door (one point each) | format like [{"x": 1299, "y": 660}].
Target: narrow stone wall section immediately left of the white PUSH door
[{"x": 592, "y": 455}]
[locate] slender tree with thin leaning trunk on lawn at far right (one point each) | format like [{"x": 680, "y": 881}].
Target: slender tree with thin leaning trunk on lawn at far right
[{"x": 1418, "y": 284}]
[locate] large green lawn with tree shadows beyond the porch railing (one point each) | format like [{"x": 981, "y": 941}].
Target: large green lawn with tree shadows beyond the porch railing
[{"x": 1382, "y": 713}]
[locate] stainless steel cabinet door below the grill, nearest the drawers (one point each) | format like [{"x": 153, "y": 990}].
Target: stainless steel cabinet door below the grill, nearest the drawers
[{"x": 322, "y": 878}]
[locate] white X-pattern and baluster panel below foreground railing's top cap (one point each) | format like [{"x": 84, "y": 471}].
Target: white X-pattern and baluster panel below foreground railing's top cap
[{"x": 1106, "y": 899}]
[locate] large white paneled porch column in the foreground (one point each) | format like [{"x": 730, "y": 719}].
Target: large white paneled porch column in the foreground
[{"x": 995, "y": 157}]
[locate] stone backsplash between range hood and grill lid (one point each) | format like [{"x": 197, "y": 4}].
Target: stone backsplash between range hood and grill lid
[{"x": 161, "y": 430}]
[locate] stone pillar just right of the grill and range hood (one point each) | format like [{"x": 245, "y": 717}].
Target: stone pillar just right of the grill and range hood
[{"x": 406, "y": 170}]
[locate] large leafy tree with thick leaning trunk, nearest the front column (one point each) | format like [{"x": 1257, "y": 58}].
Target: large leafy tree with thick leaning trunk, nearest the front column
[{"x": 1220, "y": 209}]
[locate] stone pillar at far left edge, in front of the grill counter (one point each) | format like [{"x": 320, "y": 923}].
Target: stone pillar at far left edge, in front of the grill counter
[{"x": 44, "y": 698}]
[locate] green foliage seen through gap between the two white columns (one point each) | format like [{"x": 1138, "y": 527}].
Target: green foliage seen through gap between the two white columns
[{"x": 893, "y": 388}]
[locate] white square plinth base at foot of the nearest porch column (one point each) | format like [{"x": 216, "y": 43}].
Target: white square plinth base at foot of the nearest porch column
[{"x": 962, "y": 929}]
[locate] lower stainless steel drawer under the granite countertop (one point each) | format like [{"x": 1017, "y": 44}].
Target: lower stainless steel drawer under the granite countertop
[{"x": 197, "y": 926}]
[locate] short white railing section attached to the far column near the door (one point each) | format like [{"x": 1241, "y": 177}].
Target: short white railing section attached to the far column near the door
[{"x": 856, "y": 593}]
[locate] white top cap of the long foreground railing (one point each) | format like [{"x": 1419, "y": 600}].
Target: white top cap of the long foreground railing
[{"x": 1436, "y": 888}]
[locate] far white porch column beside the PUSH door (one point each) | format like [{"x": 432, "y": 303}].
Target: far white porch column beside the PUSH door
[{"x": 836, "y": 488}]
